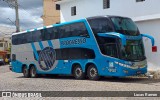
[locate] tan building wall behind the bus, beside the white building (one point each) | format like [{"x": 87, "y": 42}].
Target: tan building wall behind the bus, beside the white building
[{"x": 51, "y": 13}]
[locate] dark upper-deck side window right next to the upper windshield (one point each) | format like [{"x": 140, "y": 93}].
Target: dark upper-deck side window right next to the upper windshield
[{"x": 100, "y": 25}]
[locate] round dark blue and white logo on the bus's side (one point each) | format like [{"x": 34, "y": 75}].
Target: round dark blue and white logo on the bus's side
[{"x": 47, "y": 58}]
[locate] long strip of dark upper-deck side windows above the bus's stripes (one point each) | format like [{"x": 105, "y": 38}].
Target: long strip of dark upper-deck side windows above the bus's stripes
[{"x": 70, "y": 30}]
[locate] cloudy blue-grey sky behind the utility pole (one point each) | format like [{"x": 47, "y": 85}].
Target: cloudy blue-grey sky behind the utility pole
[{"x": 30, "y": 12}]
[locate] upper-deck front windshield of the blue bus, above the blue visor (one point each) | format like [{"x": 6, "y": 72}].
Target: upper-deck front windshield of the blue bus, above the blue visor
[{"x": 125, "y": 26}]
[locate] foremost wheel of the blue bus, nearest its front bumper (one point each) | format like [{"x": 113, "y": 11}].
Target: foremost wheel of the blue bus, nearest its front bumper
[{"x": 92, "y": 72}]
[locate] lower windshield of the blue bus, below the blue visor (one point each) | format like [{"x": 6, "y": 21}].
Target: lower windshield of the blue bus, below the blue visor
[{"x": 133, "y": 51}]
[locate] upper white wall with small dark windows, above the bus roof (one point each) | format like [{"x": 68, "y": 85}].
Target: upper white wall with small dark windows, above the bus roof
[{"x": 129, "y": 8}]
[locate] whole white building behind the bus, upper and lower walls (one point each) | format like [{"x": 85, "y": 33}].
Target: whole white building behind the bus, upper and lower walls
[{"x": 145, "y": 13}]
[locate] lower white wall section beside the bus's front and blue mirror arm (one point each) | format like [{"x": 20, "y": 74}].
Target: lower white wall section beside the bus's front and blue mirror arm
[{"x": 151, "y": 27}]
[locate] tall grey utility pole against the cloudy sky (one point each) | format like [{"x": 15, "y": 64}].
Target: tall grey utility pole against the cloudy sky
[{"x": 17, "y": 16}]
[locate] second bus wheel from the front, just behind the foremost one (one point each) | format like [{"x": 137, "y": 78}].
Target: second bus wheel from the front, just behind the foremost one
[{"x": 78, "y": 72}]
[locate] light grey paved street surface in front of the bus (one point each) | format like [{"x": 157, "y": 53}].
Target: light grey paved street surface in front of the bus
[{"x": 10, "y": 81}]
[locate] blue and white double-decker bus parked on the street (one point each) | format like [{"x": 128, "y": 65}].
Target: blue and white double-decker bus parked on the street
[{"x": 92, "y": 47}]
